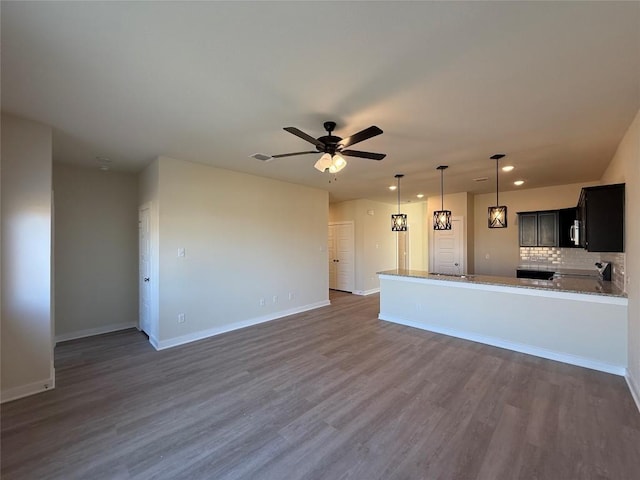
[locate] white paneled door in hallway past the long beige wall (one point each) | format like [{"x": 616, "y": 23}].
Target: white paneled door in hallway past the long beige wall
[{"x": 343, "y": 258}]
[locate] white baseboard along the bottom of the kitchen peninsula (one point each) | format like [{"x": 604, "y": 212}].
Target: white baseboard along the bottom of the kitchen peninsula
[{"x": 516, "y": 347}]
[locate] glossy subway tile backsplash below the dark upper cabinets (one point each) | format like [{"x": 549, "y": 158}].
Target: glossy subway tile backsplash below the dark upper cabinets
[{"x": 574, "y": 258}]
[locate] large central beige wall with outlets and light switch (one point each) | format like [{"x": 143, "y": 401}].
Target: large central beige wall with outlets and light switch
[{"x": 245, "y": 238}]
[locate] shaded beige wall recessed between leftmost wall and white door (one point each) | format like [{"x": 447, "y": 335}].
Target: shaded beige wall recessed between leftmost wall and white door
[{"x": 96, "y": 251}]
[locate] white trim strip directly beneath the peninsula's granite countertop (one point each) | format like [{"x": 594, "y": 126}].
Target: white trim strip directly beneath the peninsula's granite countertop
[{"x": 511, "y": 289}]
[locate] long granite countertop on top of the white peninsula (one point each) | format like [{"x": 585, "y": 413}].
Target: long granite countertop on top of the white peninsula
[{"x": 590, "y": 286}]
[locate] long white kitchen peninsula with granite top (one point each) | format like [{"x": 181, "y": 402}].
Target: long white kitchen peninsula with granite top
[{"x": 578, "y": 321}]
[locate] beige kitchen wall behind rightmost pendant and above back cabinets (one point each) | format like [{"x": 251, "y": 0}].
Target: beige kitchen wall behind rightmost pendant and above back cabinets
[{"x": 496, "y": 250}]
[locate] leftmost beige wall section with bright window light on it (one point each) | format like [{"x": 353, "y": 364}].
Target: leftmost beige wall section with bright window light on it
[{"x": 27, "y": 348}]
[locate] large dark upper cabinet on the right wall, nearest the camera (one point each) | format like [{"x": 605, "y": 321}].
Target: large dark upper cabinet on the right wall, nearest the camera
[{"x": 601, "y": 217}]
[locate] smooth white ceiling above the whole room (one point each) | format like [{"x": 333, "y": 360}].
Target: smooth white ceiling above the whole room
[{"x": 554, "y": 85}]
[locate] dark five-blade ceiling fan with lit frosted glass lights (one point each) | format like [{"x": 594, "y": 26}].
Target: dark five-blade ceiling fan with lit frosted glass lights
[{"x": 333, "y": 147}]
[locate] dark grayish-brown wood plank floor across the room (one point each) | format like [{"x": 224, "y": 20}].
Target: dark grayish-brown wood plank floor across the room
[{"x": 329, "y": 394}]
